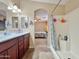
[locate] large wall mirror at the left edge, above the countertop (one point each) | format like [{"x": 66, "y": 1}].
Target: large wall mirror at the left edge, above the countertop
[{"x": 2, "y": 16}]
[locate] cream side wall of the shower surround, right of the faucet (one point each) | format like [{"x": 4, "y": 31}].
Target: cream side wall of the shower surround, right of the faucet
[{"x": 73, "y": 22}]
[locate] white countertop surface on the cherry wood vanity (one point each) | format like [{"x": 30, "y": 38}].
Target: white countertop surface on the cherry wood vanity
[{"x": 10, "y": 35}]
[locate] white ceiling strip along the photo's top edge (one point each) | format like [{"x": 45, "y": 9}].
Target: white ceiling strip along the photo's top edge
[{"x": 63, "y": 2}]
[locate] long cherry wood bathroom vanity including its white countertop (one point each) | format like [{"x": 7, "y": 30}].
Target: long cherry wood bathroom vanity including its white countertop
[{"x": 14, "y": 46}]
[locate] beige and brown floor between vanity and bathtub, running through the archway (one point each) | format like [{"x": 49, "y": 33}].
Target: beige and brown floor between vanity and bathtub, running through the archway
[{"x": 40, "y": 52}]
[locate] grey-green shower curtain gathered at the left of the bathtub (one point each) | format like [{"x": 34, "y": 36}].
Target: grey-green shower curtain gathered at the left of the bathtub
[{"x": 53, "y": 34}]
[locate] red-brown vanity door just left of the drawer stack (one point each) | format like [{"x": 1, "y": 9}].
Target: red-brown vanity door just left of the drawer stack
[{"x": 13, "y": 52}]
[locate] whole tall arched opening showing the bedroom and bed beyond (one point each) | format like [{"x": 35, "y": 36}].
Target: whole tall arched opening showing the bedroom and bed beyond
[{"x": 41, "y": 26}]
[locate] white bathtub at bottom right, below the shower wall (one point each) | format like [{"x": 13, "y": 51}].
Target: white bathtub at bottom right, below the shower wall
[{"x": 63, "y": 55}]
